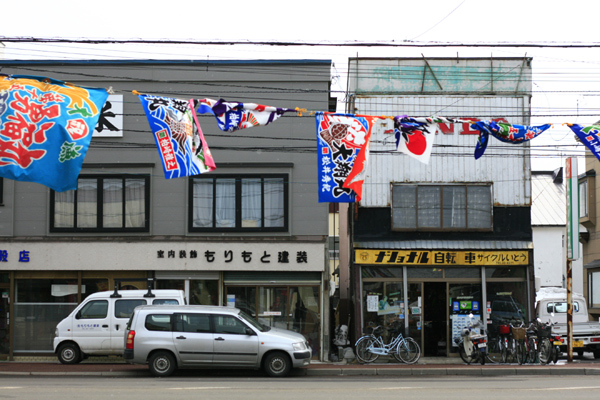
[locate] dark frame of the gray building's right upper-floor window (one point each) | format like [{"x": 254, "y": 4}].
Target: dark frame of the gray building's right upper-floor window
[{"x": 238, "y": 203}]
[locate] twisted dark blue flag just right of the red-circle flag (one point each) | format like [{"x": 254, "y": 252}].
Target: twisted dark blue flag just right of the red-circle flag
[{"x": 504, "y": 132}]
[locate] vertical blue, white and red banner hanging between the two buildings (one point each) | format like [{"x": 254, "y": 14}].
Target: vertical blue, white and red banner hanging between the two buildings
[{"x": 343, "y": 142}]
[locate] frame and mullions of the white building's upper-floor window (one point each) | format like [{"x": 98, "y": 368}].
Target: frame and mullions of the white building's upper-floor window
[{"x": 440, "y": 209}]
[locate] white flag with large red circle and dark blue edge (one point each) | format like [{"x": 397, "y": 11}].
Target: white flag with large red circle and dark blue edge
[{"x": 415, "y": 136}]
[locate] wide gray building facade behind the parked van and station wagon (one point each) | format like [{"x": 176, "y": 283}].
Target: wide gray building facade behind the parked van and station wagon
[{"x": 60, "y": 247}]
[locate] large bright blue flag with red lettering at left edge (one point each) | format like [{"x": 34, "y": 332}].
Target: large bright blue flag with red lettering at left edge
[{"x": 46, "y": 127}]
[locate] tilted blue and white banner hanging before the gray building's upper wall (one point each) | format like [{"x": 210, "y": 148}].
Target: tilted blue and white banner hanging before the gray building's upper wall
[{"x": 178, "y": 136}]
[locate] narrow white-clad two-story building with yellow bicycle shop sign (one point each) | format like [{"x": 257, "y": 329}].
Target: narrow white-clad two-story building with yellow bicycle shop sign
[{"x": 430, "y": 244}]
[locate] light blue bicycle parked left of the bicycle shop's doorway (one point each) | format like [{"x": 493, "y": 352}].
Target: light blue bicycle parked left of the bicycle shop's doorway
[{"x": 371, "y": 346}]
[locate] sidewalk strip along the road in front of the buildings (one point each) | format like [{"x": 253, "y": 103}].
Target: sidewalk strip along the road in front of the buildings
[{"x": 425, "y": 366}]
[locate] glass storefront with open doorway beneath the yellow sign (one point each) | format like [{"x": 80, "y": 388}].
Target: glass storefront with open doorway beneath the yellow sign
[{"x": 435, "y": 303}]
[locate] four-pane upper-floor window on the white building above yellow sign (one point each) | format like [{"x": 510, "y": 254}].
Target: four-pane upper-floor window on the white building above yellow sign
[{"x": 441, "y": 207}]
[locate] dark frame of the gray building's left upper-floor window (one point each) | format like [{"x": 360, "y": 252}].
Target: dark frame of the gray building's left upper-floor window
[{"x": 99, "y": 206}]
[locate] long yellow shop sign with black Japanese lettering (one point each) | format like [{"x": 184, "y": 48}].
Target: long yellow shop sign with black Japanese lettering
[{"x": 441, "y": 257}]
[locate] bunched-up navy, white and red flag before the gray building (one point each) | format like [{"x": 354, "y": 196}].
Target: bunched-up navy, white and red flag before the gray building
[{"x": 232, "y": 116}]
